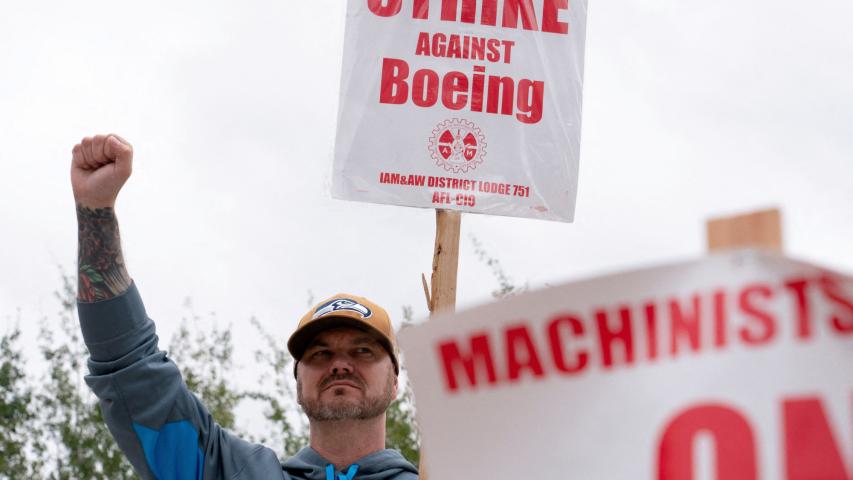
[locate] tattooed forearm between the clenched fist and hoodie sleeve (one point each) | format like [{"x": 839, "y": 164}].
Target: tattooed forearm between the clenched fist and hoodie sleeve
[{"x": 101, "y": 271}]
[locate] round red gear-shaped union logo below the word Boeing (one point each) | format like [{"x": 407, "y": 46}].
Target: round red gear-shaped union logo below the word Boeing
[{"x": 457, "y": 145}]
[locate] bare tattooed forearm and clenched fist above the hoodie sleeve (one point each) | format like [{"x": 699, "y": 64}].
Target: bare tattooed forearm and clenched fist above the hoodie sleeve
[{"x": 100, "y": 166}]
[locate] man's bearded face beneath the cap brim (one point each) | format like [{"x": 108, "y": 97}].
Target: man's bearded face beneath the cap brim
[{"x": 345, "y": 374}]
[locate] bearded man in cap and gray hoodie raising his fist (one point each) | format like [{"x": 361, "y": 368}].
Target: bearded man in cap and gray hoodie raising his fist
[{"x": 345, "y": 353}]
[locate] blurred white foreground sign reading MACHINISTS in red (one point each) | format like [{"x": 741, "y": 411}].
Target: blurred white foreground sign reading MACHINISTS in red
[{"x": 736, "y": 366}]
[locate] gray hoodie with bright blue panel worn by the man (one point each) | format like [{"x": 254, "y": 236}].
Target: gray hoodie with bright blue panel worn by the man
[{"x": 166, "y": 432}]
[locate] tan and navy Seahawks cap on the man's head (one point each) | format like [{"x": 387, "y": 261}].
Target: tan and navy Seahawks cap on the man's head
[{"x": 344, "y": 310}]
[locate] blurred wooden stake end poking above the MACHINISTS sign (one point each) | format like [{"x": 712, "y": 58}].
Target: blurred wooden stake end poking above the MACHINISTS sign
[{"x": 761, "y": 229}]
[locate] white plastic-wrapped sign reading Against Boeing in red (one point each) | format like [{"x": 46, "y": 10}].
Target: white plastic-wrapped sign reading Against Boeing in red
[{"x": 470, "y": 105}]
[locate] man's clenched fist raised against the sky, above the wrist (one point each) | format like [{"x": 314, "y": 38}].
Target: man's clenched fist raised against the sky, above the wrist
[{"x": 99, "y": 167}]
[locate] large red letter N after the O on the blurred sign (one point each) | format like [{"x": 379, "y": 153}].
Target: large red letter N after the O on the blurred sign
[{"x": 811, "y": 451}]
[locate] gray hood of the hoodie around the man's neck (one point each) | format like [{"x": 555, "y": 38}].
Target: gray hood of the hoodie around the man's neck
[{"x": 307, "y": 464}]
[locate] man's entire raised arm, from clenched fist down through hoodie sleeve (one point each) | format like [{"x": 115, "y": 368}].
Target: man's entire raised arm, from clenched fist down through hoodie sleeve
[{"x": 165, "y": 431}]
